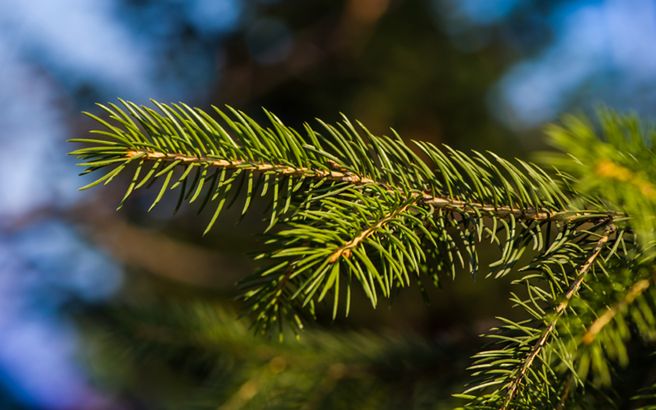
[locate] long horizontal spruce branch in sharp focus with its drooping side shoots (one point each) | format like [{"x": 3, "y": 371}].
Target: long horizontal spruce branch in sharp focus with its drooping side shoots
[{"x": 324, "y": 183}]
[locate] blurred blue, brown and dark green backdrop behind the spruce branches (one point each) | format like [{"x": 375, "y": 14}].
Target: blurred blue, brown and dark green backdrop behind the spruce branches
[{"x": 79, "y": 282}]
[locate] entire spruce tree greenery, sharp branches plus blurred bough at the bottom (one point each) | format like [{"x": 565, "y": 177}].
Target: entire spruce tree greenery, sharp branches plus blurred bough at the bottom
[{"x": 350, "y": 211}]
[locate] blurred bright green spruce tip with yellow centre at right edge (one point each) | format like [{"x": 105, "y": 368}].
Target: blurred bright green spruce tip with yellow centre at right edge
[{"x": 612, "y": 165}]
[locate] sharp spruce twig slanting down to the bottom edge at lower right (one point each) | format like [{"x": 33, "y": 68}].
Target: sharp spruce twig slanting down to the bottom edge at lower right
[{"x": 532, "y": 360}]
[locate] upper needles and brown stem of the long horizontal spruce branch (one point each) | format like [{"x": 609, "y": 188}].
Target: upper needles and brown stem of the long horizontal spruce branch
[{"x": 190, "y": 138}]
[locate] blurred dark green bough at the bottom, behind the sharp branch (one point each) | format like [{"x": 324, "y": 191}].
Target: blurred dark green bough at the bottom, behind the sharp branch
[{"x": 323, "y": 371}]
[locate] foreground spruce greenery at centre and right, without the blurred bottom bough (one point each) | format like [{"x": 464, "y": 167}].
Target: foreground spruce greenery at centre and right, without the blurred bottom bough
[{"x": 349, "y": 209}]
